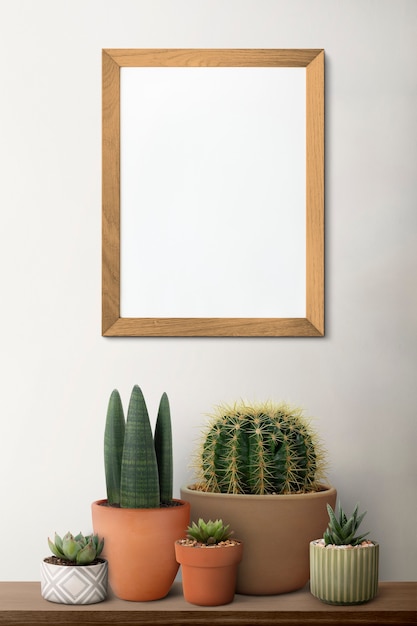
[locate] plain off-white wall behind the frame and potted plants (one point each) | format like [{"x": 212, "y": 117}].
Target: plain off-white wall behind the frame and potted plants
[{"x": 56, "y": 371}]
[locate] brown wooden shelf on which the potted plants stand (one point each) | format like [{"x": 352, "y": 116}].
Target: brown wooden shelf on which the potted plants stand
[{"x": 396, "y": 603}]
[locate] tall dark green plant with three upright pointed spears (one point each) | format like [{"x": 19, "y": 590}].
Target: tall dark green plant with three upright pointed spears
[{"x": 138, "y": 465}]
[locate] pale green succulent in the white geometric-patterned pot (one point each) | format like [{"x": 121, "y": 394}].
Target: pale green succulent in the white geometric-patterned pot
[{"x": 80, "y": 549}]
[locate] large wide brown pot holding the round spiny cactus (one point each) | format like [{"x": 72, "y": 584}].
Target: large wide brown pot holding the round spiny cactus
[{"x": 276, "y": 532}]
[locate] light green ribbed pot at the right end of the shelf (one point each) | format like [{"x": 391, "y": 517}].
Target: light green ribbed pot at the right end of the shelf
[{"x": 344, "y": 575}]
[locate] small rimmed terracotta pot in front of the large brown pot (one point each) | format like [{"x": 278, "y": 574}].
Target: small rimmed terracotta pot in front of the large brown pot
[{"x": 209, "y": 573}]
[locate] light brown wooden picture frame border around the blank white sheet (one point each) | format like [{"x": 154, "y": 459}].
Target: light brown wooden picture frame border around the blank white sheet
[{"x": 312, "y": 324}]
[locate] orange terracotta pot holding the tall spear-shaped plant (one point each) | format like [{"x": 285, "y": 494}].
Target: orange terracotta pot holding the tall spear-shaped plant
[{"x": 139, "y": 546}]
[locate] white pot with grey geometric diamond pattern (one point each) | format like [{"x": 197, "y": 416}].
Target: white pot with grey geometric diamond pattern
[{"x": 74, "y": 584}]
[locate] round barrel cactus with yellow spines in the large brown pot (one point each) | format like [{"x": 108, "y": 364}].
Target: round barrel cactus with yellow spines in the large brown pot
[{"x": 260, "y": 449}]
